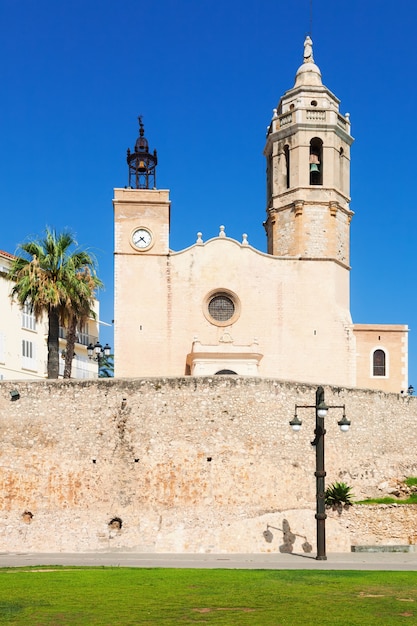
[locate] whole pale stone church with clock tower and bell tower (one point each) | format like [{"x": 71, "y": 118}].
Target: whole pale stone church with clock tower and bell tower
[{"x": 223, "y": 307}]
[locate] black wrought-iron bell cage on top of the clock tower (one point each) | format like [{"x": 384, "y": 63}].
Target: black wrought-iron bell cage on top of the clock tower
[{"x": 141, "y": 163}]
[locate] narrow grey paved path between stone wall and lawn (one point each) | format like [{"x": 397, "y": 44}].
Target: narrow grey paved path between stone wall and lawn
[{"x": 342, "y": 561}]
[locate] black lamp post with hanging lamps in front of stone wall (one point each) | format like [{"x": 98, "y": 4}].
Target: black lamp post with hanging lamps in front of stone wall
[{"x": 320, "y": 473}]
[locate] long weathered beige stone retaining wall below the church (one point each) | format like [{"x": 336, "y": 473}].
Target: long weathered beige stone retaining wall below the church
[{"x": 194, "y": 465}]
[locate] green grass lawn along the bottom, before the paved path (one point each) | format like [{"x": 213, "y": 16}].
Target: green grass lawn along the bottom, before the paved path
[{"x": 119, "y": 596}]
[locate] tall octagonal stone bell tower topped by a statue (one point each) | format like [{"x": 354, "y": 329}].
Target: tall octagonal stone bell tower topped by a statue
[{"x": 308, "y": 167}]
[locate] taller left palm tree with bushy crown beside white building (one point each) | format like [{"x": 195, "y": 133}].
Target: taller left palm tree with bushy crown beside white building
[{"x": 47, "y": 274}]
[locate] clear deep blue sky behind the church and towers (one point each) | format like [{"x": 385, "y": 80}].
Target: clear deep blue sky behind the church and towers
[{"x": 206, "y": 76}]
